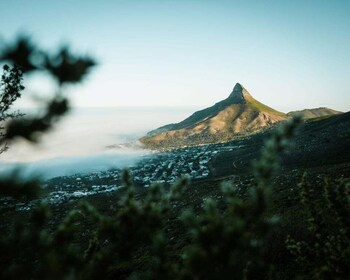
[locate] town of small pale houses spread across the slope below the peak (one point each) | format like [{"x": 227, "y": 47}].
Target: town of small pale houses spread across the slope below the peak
[{"x": 161, "y": 167}]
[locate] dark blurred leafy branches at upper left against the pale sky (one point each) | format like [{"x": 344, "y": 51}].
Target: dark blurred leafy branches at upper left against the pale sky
[{"x": 25, "y": 57}]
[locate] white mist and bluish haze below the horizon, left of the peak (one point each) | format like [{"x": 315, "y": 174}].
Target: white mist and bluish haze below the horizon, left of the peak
[{"x": 88, "y": 140}]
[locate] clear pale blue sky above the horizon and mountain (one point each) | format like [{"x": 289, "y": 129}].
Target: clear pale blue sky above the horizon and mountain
[{"x": 289, "y": 55}]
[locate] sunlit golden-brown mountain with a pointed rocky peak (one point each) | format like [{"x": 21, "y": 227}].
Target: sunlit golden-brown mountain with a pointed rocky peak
[{"x": 237, "y": 115}]
